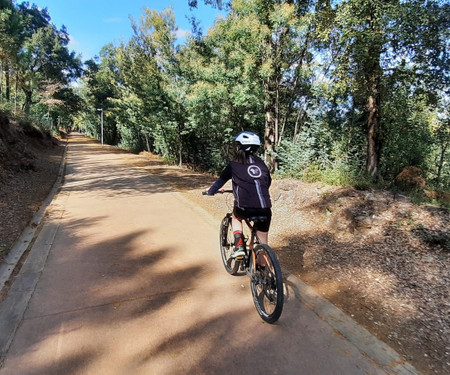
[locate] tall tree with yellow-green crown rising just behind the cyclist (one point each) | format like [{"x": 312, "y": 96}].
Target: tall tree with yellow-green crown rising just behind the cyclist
[{"x": 273, "y": 38}]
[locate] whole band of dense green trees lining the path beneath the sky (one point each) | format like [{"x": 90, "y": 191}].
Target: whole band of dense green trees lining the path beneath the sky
[{"x": 345, "y": 92}]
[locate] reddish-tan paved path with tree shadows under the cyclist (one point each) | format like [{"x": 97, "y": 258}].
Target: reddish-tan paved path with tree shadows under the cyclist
[{"x": 125, "y": 278}]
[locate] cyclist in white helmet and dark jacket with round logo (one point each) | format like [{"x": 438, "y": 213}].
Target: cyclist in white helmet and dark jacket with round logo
[{"x": 251, "y": 181}]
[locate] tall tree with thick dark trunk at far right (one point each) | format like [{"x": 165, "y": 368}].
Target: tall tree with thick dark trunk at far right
[{"x": 378, "y": 38}]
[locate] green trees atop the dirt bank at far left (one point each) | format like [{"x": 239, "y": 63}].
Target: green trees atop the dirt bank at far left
[{"x": 36, "y": 65}]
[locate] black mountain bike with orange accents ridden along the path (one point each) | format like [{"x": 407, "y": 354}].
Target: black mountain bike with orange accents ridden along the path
[{"x": 259, "y": 262}]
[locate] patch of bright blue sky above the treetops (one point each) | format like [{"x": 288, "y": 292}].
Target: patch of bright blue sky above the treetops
[{"x": 95, "y": 23}]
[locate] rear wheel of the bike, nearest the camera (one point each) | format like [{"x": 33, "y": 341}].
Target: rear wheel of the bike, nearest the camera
[{"x": 267, "y": 284}]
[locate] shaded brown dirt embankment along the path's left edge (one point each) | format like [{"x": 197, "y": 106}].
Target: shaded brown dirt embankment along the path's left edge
[{"x": 29, "y": 164}]
